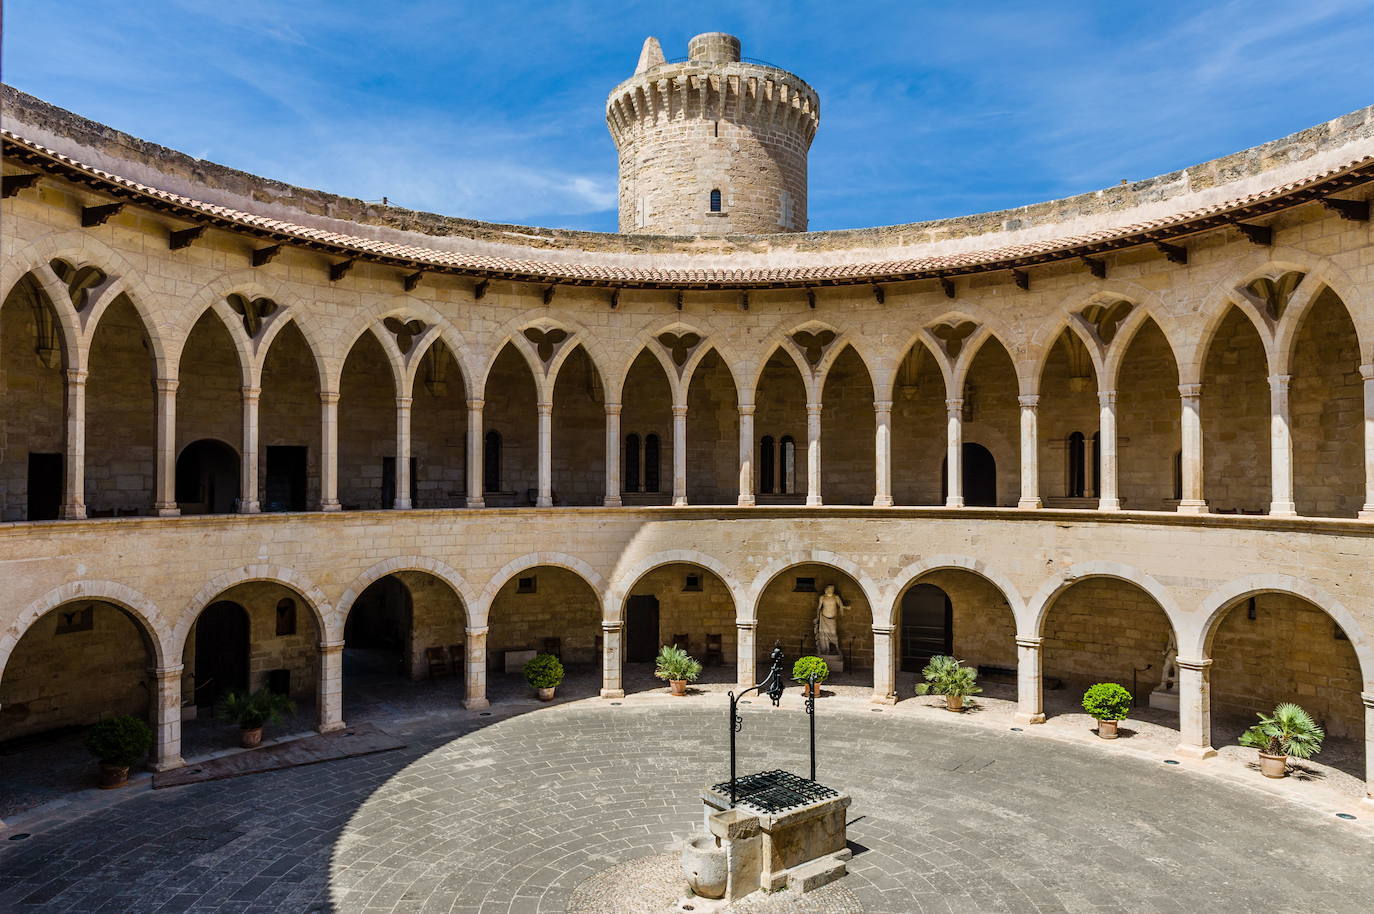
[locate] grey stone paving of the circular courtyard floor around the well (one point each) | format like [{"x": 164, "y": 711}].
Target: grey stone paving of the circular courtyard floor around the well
[{"x": 509, "y": 814}]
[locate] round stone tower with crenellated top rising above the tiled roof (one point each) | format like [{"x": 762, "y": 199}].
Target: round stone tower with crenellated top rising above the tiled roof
[{"x": 712, "y": 145}]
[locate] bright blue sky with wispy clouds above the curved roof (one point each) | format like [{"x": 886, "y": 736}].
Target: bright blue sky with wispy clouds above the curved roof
[{"x": 495, "y": 111}]
